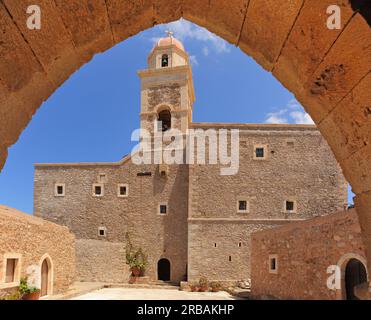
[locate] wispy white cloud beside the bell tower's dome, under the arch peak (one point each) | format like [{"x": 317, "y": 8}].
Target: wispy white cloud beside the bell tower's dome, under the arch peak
[{"x": 185, "y": 30}]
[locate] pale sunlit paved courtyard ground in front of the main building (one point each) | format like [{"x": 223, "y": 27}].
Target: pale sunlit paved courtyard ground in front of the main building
[{"x": 152, "y": 294}]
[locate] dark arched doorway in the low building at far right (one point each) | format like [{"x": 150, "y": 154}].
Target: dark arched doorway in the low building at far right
[{"x": 355, "y": 274}]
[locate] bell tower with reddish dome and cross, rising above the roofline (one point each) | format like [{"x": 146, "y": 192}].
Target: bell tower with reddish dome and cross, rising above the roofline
[{"x": 167, "y": 92}]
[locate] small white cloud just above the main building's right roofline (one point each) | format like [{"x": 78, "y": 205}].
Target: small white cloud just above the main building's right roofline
[{"x": 292, "y": 113}]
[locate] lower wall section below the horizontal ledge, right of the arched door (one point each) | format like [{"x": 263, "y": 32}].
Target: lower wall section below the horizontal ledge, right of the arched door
[{"x": 220, "y": 250}]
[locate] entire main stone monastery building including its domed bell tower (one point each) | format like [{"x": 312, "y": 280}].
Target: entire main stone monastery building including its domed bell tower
[{"x": 203, "y": 226}]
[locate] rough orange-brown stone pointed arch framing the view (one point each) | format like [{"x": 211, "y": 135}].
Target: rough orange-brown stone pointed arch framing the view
[{"x": 327, "y": 70}]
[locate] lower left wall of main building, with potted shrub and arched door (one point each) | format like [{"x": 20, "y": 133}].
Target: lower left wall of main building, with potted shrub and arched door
[{"x": 160, "y": 236}]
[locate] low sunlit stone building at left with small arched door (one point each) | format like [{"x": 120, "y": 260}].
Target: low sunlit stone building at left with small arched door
[{"x": 31, "y": 240}]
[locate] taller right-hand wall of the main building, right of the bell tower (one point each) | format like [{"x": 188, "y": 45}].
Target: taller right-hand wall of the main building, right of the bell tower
[{"x": 299, "y": 166}]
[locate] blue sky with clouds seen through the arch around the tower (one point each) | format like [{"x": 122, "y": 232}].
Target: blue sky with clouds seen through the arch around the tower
[{"x": 91, "y": 117}]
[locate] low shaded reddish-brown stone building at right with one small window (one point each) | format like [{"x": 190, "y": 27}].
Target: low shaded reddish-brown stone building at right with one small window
[{"x": 304, "y": 251}]
